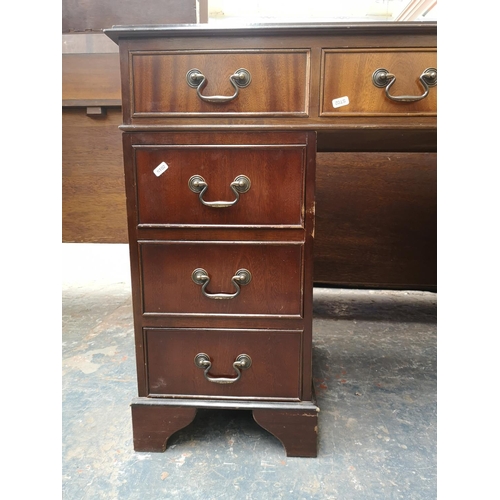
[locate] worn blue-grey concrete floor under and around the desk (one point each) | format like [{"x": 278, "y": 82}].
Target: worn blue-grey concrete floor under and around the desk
[{"x": 374, "y": 362}]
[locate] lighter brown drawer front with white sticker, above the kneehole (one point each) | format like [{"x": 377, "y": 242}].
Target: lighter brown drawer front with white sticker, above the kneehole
[{"x": 349, "y": 74}]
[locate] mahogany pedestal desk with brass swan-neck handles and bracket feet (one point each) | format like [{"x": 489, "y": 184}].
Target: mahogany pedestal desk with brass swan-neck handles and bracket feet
[{"x": 221, "y": 128}]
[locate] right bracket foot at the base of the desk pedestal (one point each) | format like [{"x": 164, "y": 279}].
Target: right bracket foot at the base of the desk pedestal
[{"x": 296, "y": 429}]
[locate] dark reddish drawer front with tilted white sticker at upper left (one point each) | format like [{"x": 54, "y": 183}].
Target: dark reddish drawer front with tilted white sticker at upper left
[{"x": 275, "y": 197}]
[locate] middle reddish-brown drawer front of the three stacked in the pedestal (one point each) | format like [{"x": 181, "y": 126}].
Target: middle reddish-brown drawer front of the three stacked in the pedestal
[{"x": 274, "y": 289}]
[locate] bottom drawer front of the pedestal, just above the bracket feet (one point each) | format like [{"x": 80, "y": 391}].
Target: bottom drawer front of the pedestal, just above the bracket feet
[{"x": 274, "y": 371}]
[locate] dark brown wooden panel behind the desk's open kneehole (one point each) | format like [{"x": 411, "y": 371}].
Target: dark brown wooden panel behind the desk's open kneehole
[{"x": 384, "y": 205}]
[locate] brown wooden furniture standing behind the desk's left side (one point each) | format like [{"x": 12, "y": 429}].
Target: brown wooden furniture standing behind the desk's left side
[{"x": 93, "y": 188}]
